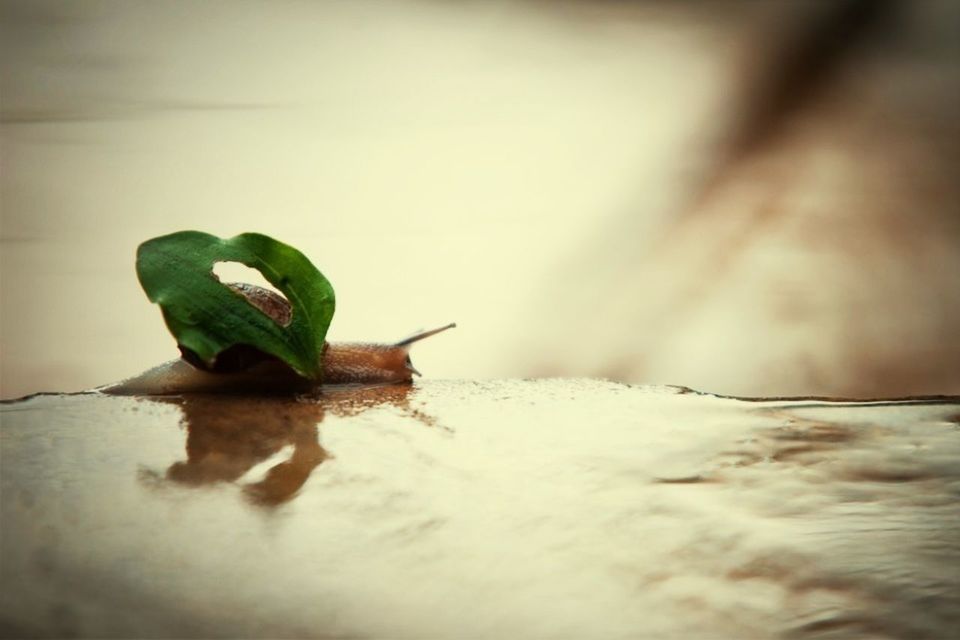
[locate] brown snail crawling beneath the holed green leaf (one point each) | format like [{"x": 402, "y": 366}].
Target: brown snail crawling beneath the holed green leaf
[{"x": 254, "y": 370}]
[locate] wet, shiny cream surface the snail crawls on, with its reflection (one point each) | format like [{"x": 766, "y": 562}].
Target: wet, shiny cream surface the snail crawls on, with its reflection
[{"x": 553, "y": 508}]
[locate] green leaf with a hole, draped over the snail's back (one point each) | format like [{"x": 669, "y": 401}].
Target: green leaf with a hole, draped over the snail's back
[{"x": 207, "y": 317}]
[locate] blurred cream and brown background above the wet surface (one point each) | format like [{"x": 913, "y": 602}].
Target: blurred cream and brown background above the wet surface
[{"x": 755, "y": 198}]
